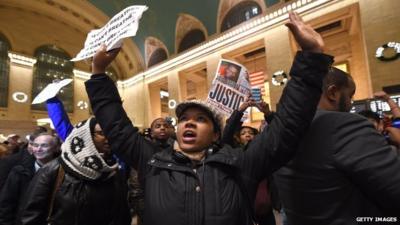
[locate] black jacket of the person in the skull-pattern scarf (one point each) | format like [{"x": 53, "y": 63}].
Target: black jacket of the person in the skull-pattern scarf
[{"x": 77, "y": 201}]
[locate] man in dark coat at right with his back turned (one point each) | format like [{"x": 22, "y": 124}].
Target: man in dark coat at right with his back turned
[{"x": 344, "y": 171}]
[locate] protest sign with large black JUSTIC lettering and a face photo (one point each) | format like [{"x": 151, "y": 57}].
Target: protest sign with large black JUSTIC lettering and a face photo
[{"x": 230, "y": 87}]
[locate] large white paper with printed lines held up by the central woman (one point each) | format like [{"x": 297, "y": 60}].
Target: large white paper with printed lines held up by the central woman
[{"x": 124, "y": 24}]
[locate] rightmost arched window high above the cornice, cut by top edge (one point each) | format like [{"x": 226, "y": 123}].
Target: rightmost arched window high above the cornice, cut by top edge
[{"x": 239, "y": 14}]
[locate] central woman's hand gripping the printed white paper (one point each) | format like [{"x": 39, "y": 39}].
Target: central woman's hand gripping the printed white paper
[{"x": 102, "y": 59}]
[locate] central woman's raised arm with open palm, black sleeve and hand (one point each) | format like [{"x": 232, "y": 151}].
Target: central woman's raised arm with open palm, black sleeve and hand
[{"x": 275, "y": 146}]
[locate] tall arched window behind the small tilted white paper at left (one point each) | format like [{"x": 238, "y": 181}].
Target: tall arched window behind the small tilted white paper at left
[{"x": 53, "y": 63}]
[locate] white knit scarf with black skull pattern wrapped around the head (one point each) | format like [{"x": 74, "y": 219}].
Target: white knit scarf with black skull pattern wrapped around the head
[{"x": 81, "y": 156}]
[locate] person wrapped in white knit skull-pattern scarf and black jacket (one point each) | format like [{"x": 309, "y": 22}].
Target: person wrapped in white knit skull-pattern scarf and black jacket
[{"x": 84, "y": 186}]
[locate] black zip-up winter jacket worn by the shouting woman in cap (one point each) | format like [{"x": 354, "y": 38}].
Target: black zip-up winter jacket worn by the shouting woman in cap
[{"x": 180, "y": 192}]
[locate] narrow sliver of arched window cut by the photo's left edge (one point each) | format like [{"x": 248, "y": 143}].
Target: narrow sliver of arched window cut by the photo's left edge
[{"x": 4, "y": 70}]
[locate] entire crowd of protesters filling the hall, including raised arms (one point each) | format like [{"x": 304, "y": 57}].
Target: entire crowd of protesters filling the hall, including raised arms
[{"x": 311, "y": 162}]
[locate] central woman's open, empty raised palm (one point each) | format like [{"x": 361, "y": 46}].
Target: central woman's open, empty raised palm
[{"x": 305, "y": 35}]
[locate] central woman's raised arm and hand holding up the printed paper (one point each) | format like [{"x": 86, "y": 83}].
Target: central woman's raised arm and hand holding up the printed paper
[{"x": 124, "y": 138}]
